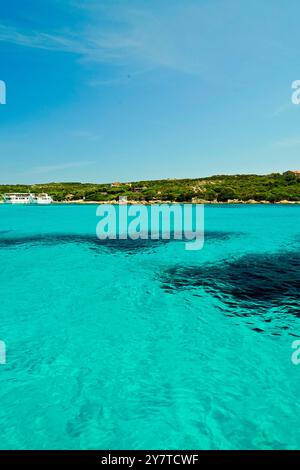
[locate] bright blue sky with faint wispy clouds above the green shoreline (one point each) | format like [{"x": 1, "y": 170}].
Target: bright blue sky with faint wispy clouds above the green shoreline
[{"x": 126, "y": 90}]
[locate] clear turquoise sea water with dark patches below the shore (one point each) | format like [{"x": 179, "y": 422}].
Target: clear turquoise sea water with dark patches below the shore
[{"x": 128, "y": 345}]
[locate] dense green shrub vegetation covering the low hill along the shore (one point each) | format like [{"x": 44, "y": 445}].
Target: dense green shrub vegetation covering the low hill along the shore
[{"x": 221, "y": 188}]
